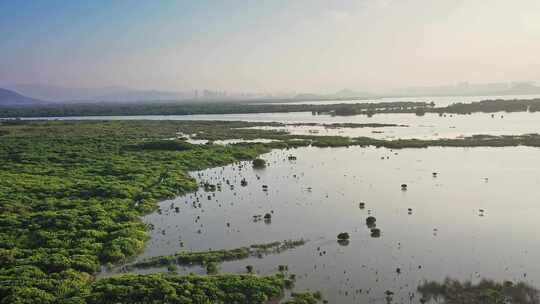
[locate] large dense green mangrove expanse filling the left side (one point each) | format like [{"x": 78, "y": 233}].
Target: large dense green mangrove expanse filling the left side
[{"x": 72, "y": 196}]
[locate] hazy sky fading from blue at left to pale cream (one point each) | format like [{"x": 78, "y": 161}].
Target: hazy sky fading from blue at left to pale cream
[{"x": 268, "y": 45}]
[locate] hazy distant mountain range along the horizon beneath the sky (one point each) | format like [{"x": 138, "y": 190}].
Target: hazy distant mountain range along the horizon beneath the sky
[{"x": 30, "y": 94}]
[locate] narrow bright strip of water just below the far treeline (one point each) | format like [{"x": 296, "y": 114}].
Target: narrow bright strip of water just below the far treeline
[{"x": 423, "y": 127}]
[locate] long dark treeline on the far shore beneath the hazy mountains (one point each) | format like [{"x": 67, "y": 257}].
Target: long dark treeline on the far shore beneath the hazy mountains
[{"x": 419, "y": 108}]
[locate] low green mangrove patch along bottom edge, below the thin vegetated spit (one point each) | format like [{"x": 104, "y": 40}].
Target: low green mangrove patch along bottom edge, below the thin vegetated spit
[{"x": 168, "y": 288}]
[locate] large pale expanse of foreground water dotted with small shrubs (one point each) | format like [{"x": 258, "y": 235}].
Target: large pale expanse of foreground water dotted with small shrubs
[{"x": 465, "y": 213}]
